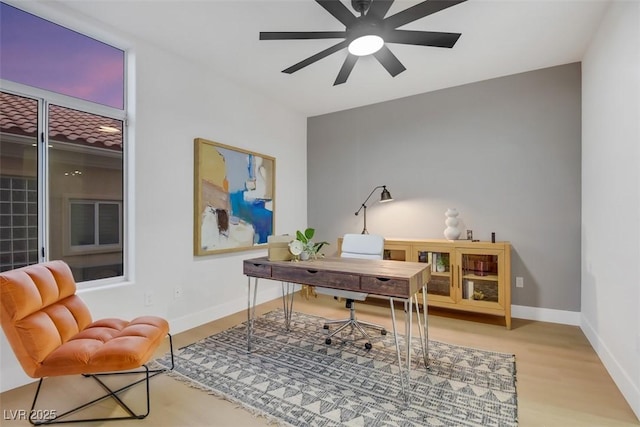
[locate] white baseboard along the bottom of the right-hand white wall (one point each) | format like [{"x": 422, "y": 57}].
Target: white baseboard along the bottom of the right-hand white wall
[{"x": 628, "y": 387}]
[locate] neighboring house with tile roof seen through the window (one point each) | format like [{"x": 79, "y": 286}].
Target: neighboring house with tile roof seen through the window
[{"x": 85, "y": 165}]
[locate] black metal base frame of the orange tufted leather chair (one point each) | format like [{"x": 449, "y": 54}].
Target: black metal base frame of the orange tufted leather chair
[{"x": 148, "y": 374}]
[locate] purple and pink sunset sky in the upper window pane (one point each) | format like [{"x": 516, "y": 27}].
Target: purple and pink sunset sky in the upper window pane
[{"x": 39, "y": 53}]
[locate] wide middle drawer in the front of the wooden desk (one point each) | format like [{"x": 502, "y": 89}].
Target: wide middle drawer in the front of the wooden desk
[{"x": 309, "y": 276}]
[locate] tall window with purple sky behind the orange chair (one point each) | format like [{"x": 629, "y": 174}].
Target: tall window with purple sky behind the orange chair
[{"x": 61, "y": 154}]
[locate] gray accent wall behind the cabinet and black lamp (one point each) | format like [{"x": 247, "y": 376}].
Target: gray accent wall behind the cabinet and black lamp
[{"x": 505, "y": 152}]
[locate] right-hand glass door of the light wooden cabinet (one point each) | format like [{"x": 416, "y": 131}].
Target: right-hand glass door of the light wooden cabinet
[{"x": 480, "y": 277}]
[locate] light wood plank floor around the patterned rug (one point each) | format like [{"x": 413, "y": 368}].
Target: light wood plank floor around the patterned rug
[{"x": 560, "y": 380}]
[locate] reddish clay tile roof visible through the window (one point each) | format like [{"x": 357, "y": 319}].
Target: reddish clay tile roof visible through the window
[{"x": 18, "y": 116}]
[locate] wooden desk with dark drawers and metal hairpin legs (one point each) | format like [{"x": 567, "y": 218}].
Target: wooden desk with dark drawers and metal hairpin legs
[{"x": 392, "y": 279}]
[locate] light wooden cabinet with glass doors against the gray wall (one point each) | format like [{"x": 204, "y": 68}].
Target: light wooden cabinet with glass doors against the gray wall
[{"x": 469, "y": 276}]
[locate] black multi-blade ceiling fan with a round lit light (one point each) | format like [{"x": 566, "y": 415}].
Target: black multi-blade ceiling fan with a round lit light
[{"x": 368, "y": 33}]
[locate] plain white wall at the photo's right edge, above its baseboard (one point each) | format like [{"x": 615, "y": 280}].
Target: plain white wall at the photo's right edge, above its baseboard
[{"x": 611, "y": 196}]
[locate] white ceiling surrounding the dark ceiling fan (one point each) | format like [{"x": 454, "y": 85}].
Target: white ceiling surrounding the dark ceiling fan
[{"x": 499, "y": 37}]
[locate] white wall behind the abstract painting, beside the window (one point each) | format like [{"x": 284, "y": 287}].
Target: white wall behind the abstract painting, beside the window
[{"x": 177, "y": 101}]
